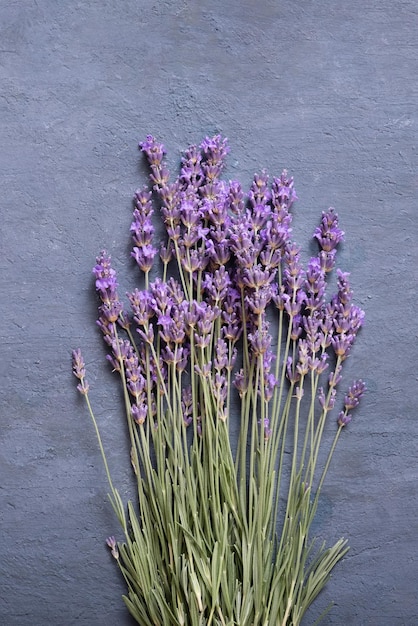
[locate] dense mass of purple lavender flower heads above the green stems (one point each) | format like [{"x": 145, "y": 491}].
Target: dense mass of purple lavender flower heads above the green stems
[{"x": 236, "y": 259}]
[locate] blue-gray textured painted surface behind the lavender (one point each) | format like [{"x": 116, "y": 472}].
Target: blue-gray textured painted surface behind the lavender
[{"x": 327, "y": 89}]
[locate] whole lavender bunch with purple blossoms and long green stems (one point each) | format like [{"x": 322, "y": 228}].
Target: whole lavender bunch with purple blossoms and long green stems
[{"x": 233, "y": 332}]
